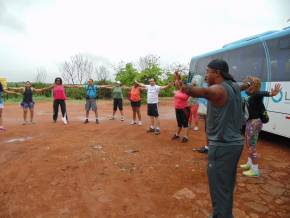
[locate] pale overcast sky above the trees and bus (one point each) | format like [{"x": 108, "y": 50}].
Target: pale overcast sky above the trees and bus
[{"x": 44, "y": 33}]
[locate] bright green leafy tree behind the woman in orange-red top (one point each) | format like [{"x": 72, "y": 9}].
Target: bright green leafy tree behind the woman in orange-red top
[{"x": 127, "y": 75}]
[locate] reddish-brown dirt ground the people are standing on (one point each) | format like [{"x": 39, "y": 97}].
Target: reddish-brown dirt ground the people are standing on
[{"x": 114, "y": 169}]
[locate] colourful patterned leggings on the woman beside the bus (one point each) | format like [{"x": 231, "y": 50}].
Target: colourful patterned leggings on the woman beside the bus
[{"x": 253, "y": 128}]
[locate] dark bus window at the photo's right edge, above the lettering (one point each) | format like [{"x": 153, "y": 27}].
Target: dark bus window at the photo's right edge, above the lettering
[{"x": 279, "y": 50}]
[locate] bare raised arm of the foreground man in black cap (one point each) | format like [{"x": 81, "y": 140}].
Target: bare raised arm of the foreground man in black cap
[{"x": 215, "y": 93}]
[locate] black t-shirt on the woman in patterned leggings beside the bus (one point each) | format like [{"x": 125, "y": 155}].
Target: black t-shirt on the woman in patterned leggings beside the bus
[{"x": 256, "y": 105}]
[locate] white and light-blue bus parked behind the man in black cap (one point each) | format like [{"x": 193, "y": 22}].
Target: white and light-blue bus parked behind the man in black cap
[{"x": 266, "y": 56}]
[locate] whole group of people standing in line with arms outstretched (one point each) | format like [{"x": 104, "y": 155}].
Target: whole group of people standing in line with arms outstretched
[{"x": 224, "y": 136}]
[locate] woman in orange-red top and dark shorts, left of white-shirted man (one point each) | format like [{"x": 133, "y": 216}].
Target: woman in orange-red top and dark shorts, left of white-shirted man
[{"x": 135, "y": 98}]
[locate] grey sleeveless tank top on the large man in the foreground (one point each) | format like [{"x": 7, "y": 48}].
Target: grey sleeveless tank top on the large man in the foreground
[{"x": 224, "y": 123}]
